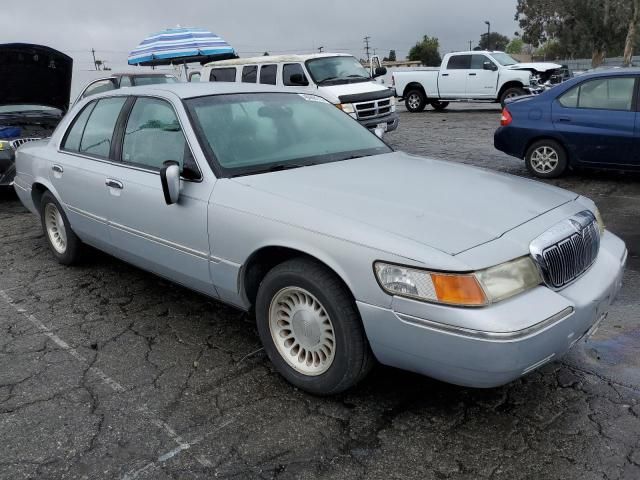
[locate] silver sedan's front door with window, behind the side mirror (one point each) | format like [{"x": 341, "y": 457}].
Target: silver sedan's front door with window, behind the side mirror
[{"x": 170, "y": 240}]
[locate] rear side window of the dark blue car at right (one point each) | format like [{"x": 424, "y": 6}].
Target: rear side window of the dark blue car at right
[{"x": 601, "y": 94}]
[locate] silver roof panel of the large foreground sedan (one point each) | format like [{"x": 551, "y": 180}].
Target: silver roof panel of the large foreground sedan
[{"x": 198, "y": 89}]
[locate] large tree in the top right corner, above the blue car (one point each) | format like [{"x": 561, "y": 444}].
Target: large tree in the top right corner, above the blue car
[{"x": 581, "y": 27}]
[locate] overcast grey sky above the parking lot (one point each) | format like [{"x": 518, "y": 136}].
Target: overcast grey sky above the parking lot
[{"x": 114, "y": 27}]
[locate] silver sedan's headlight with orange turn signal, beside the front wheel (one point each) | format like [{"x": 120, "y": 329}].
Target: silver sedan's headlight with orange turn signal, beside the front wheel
[{"x": 468, "y": 289}]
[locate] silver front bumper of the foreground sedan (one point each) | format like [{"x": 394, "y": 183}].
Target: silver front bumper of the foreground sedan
[{"x": 519, "y": 334}]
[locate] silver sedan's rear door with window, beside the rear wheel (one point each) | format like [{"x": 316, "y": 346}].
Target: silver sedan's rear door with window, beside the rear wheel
[{"x": 79, "y": 169}]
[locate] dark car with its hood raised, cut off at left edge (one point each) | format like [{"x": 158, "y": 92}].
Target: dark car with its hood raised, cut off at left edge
[{"x": 35, "y": 85}]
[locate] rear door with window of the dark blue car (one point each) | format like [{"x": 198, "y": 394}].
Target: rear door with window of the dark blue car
[{"x": 597, "y": 121}]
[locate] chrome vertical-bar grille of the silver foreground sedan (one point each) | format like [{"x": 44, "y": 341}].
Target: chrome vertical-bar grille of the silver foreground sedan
[{"x": 567, "y": 250}]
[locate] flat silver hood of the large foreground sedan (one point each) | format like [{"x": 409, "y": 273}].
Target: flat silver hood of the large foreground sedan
[{"x": 444, "y": 205}]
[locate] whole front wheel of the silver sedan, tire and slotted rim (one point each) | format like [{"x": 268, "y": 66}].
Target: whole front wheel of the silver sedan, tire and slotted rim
[{"x": 311, "y": 329}]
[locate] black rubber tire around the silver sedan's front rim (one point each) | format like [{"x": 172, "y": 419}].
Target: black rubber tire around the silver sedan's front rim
[{"x": 352, "y": 357}]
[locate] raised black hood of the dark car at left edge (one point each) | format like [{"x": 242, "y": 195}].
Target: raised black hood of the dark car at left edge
[{"x": 35, "y": 75}]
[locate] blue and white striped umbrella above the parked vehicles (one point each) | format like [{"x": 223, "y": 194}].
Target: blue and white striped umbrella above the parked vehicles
[{"x": 181, "y": 45}]
